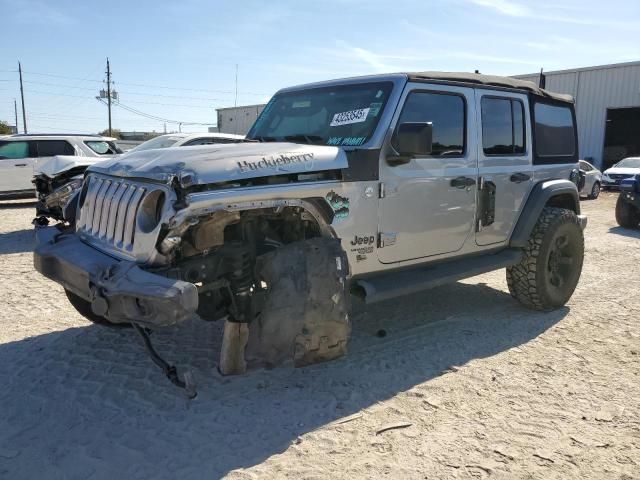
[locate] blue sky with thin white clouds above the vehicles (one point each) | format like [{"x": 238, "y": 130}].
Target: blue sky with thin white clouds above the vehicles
[{"x": 177, "y": 60}]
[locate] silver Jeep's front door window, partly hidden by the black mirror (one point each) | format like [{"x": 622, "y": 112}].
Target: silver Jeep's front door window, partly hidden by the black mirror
[{"x": 446, "y": 112}]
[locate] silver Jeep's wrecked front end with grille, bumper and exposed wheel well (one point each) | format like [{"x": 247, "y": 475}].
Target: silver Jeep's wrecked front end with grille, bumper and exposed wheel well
[{"x": 153, "y": 252}]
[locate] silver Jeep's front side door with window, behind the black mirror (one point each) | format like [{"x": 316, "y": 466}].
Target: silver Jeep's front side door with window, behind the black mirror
[{"x": 428, "y": 205}]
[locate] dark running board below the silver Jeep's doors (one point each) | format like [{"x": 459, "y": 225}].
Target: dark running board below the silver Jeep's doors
[{"x": 404, "y": 282}]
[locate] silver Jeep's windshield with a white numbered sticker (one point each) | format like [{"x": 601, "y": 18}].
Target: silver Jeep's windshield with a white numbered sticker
[{"x": 345, "y": 115}]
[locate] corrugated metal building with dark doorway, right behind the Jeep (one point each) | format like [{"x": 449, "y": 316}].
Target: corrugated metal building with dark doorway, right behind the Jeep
[{"x": 607, "y": 108}]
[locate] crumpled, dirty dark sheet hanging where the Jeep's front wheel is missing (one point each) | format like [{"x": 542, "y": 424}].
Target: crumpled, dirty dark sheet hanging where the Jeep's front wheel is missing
[{"x": 305, "y": 317}]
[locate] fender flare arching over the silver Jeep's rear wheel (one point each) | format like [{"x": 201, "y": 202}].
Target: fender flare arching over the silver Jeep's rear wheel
[{"x": 539, "y": 198}]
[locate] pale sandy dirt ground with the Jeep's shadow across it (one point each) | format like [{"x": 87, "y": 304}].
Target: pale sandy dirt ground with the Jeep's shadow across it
[{"x": 465, "y": 384}]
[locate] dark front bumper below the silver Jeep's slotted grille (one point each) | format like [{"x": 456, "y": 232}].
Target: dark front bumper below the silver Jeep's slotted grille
[{"x": 118, "y": 290}]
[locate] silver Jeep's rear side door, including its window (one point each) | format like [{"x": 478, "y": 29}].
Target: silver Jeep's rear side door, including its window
[{"x": 504, "y": 162}]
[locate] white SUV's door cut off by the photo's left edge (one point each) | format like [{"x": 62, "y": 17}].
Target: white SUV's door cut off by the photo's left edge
[{"x": 16, "y": 165}]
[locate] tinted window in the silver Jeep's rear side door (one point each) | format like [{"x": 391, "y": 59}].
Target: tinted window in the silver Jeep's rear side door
[{"x": 502, "y": 126}]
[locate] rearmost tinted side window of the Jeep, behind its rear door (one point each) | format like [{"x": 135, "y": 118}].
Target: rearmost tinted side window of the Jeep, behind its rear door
[{"x": 554, "y": 131}]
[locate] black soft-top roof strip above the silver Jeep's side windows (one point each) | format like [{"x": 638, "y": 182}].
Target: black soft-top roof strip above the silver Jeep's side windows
[{"x": 490, "y": 80}]
